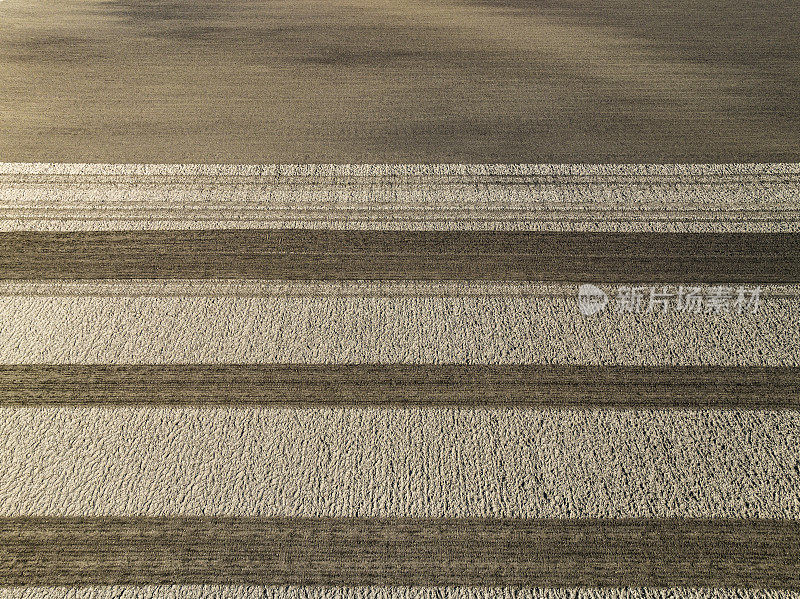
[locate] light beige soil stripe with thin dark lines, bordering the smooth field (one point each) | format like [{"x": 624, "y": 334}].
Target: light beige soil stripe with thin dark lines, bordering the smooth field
[{"x": 71, "y": 197}]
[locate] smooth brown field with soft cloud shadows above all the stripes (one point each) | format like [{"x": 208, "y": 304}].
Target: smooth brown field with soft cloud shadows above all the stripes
[{"x": 411, "y": 81}]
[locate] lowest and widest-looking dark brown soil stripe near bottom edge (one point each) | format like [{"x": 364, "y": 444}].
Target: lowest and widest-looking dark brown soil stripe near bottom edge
[{"x": 551, "y": 553}]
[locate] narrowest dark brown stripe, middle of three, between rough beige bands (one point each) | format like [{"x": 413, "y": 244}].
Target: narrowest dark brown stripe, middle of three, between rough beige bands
[{"x": 456, "y": 385}]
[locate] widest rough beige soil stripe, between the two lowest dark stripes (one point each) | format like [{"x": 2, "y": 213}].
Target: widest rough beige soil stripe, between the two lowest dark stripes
[{"x": 399, "y": 462}]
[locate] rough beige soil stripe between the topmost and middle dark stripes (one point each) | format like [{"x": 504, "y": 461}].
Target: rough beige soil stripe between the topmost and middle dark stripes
[{"x": 383, "y": 330}]
